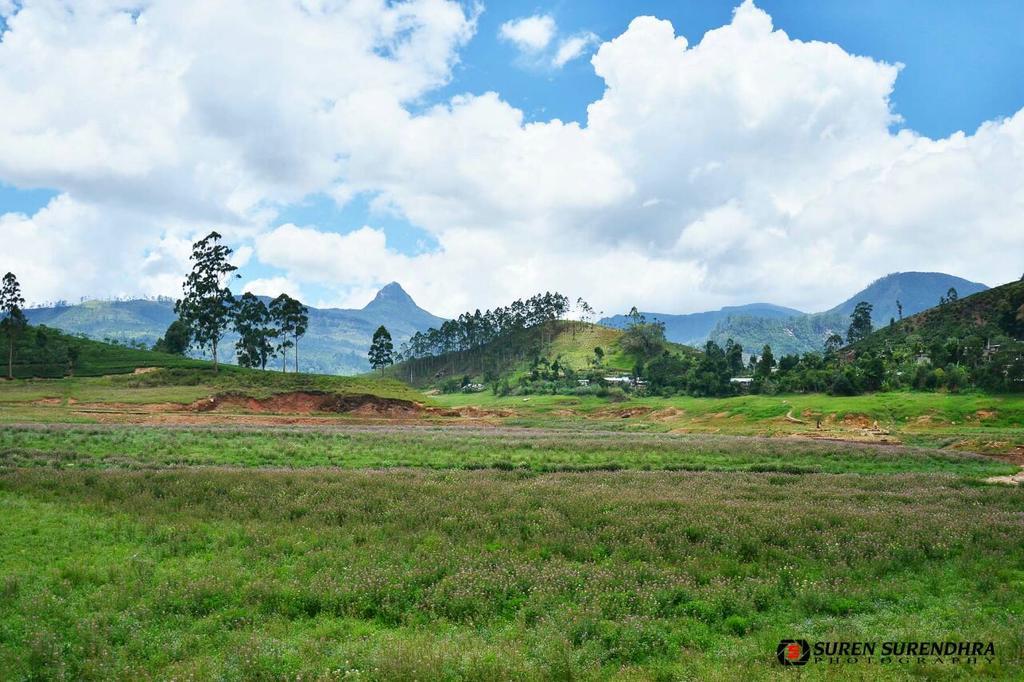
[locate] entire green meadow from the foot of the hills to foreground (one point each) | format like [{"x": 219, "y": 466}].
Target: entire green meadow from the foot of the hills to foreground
[{"x": 553, "y": 539}]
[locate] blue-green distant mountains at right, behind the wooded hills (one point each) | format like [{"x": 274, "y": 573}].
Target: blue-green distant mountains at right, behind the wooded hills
[{"x": 790, "y": 331}]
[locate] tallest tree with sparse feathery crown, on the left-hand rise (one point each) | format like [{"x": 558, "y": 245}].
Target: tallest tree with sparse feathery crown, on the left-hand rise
[{"x": 208, "y": 304}]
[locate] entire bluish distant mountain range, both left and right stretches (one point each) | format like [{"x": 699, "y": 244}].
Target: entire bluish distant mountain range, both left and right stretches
[{"x": 338, "y": 339}]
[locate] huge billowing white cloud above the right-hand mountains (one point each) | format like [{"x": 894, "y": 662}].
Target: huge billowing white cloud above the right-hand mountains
[{"x": 757, "y": 166}]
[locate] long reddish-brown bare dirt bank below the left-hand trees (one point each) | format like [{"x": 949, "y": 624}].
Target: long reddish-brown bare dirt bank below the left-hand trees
[{"x": 307, "y": 403}]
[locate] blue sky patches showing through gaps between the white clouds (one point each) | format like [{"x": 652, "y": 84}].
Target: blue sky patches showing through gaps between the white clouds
[{"x": 959, "y": 59}]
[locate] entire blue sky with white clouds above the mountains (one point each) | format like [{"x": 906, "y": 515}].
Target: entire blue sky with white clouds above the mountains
[{"x": 676, "y": 156}]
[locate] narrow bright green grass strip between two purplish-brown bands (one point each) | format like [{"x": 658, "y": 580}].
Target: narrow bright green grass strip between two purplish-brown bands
[{"x": 458, "y": 449}]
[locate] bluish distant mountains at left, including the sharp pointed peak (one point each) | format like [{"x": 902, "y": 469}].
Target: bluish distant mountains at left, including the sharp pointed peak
[{"x": 335, "y": 344}]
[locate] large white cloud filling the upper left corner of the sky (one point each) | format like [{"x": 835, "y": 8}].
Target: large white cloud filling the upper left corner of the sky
[{"x": 161, "y": 121}]
